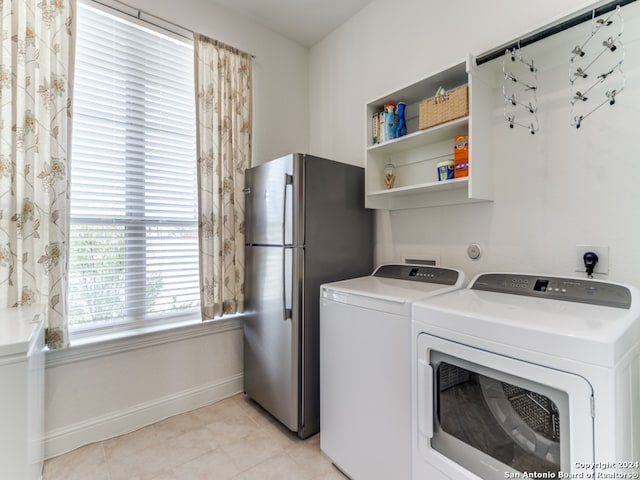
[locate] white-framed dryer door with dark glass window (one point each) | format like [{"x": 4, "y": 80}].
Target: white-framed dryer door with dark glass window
[{"x": 485, "y": 415}]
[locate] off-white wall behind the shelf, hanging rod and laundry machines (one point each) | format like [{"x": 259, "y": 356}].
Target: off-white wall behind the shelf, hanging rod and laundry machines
[{"x": 554, "y": 190}]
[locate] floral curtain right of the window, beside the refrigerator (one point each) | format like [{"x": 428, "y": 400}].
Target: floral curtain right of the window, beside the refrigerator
[{"x": 224, "y": 117}]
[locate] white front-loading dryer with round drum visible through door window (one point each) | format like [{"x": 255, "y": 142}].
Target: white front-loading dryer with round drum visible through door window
[{"x": 527, "y": 376}]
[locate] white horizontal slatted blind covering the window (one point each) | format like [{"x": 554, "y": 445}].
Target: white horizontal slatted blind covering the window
[{"x": 134, "y": 230}]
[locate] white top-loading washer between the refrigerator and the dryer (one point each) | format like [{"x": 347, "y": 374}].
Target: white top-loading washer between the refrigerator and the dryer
[{"x": 365, "y": 367}]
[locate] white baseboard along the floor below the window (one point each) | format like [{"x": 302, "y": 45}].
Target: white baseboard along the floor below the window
[{"x": 57, "y": 442}]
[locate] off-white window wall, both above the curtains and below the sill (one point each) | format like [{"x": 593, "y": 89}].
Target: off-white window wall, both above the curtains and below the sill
[{"x": 97, "y": 392}]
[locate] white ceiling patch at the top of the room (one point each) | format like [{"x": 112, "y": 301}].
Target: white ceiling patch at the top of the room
[{"x": 303, "y": 21}]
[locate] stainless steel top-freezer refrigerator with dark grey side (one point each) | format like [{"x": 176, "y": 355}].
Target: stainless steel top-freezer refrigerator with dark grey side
[{"x": 305, "y": 225}]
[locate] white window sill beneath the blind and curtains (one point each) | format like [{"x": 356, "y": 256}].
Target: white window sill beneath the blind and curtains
[{"x": 123, "y": 341}]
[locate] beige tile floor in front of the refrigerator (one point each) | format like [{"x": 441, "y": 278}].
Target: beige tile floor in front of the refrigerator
[{"x": 233, "y": 439}]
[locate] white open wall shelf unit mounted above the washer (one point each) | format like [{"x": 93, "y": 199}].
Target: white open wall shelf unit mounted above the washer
[{"x": 416, "y": 155}]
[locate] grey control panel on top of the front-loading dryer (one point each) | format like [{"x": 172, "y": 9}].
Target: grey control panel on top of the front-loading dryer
[{"x": 557, "y": 288}]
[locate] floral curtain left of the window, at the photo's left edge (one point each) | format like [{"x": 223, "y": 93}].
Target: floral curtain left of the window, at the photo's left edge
[{"x": 35, "y": 97}]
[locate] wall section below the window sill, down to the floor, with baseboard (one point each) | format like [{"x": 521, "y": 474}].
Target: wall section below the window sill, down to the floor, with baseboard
[{"x": 99, "y": 391}]
